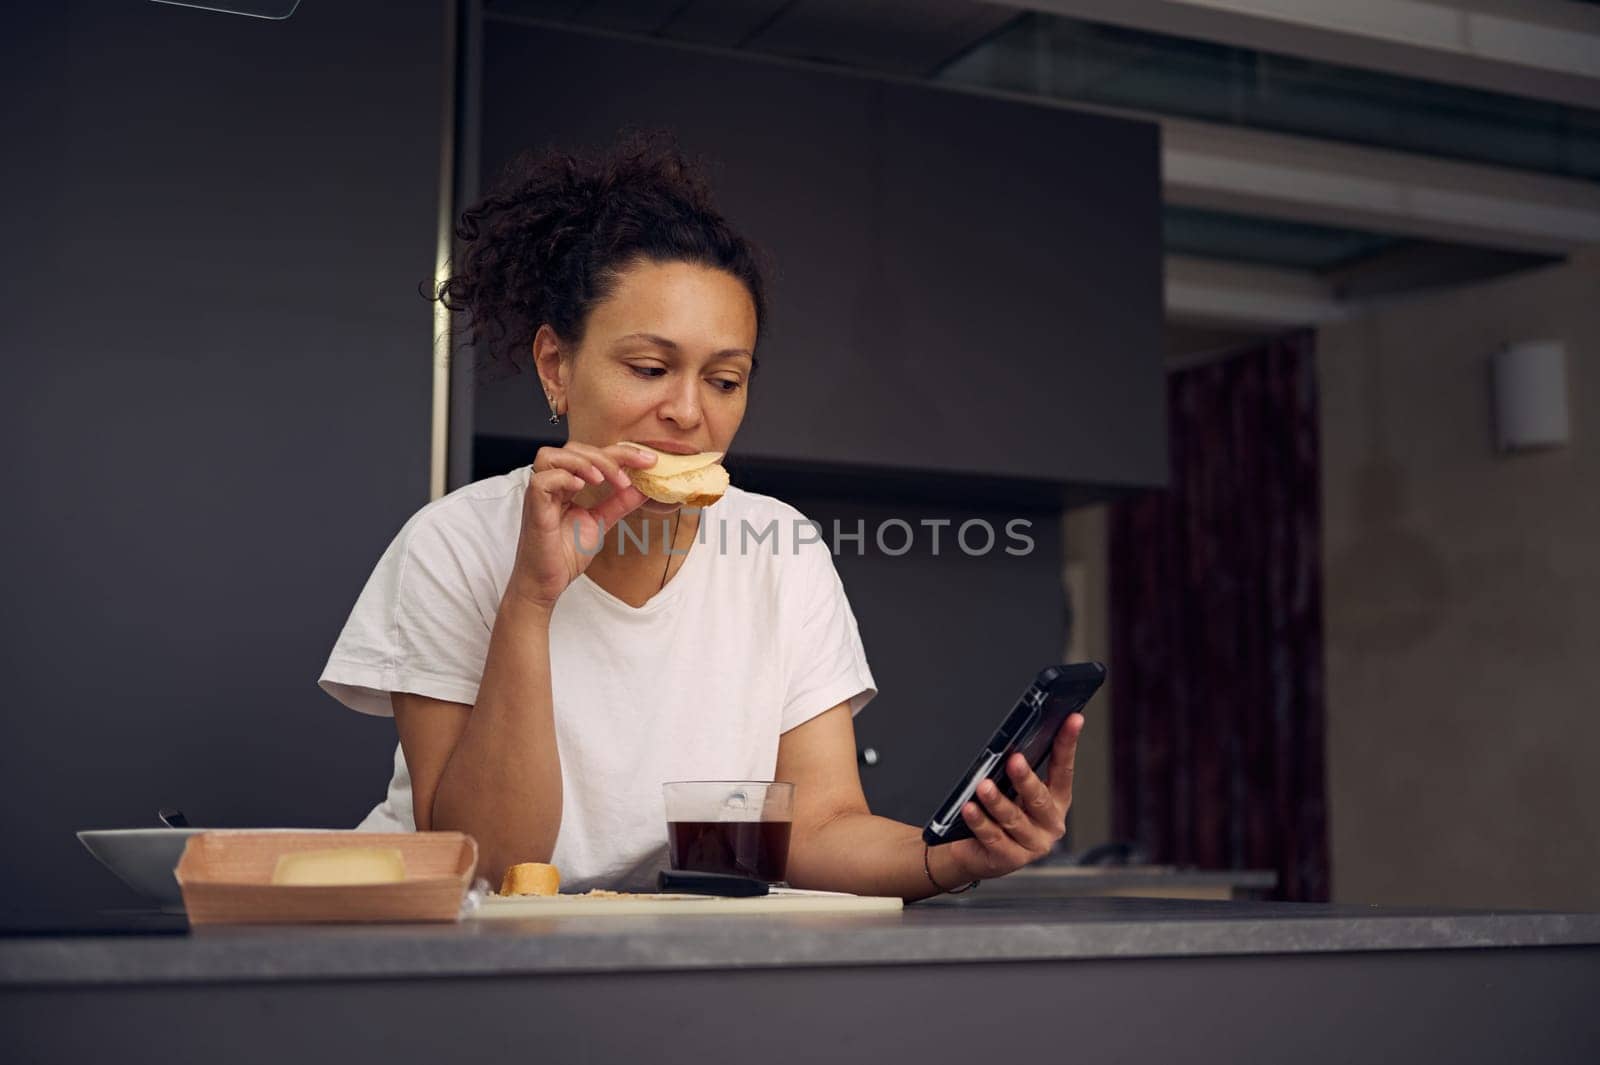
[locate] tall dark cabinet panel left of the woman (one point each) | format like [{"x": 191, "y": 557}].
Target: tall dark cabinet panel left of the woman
[{"x": 218, "y": 389}]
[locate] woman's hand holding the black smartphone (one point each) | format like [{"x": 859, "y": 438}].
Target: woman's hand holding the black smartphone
[{"x": 1007, "y": 836}]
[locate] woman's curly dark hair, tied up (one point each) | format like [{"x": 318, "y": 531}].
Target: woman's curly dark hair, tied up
[{"x": 553, "y": 237}]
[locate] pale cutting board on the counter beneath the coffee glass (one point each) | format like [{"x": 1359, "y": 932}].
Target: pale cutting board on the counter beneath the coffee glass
[{"x": 780, "y": 901}]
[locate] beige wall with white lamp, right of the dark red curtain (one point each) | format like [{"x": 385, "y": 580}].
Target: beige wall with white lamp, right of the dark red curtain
[{"x": 1463, "y": 605}]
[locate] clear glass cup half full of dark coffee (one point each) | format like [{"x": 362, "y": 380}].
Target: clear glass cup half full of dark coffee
[{"x": 737, "y": 828}]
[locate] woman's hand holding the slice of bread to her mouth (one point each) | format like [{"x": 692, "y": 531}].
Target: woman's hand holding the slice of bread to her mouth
[{"x": 561, "y": 538}]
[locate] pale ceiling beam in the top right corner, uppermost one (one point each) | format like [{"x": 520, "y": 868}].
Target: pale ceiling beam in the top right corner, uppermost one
[{"x": 1535, "y": 49}]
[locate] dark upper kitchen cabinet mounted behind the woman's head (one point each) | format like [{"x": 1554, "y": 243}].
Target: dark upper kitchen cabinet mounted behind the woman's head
[{"x": 964, "y": 285}]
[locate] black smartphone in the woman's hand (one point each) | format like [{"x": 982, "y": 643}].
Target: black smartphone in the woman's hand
[{"x": 1031, "y": 728}]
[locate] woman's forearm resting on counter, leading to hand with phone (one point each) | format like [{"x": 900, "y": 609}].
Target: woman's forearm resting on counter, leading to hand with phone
[{"x": 868, "y": 856}]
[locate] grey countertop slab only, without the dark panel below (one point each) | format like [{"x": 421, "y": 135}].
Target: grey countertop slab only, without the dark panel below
[{"x": 951, "y": 930}]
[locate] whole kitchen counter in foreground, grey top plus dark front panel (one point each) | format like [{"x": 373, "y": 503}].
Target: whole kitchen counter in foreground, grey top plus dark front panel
[{"x": 1106, "y": 978}]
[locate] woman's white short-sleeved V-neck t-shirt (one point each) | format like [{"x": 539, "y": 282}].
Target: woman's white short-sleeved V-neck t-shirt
[{"x": 750, "y": 639}]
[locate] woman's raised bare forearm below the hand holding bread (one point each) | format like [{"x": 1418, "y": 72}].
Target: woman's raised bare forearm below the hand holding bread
[{"x": 503, "y": 783}]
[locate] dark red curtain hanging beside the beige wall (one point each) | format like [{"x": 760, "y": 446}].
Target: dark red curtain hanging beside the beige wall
[{"x": 1217, "y": 629}]
